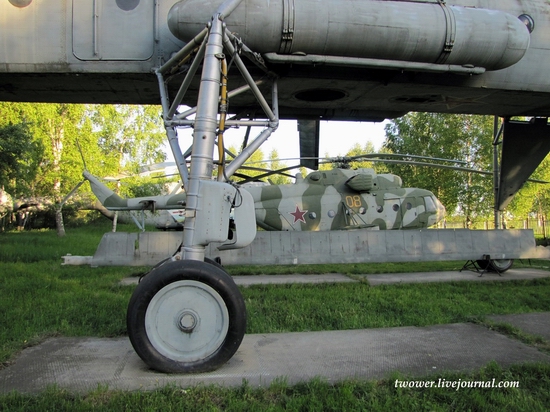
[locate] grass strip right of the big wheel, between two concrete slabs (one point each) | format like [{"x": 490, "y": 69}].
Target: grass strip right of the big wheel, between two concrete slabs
[{"x": 298, "y": 307}]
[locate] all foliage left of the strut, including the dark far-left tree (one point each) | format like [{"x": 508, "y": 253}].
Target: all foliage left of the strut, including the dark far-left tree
[{"x": 62, "y": 139}]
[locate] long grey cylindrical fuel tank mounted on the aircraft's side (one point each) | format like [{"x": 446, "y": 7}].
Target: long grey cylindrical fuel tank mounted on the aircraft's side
[{"x": 424, "y": 31}]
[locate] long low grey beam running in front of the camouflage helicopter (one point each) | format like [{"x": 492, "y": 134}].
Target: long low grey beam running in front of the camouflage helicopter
[{"x": 354, "y": 246}]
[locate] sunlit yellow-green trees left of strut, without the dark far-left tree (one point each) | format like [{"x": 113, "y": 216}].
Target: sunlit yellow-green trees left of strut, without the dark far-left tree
[{"x": 113, "y": 139}]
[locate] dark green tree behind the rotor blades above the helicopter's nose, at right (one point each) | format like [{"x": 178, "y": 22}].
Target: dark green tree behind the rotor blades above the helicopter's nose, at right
[{"x": 461, "y": 137}]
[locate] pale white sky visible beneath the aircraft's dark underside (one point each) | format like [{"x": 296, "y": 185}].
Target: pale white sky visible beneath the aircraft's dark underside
[{"x": 336, "y": 138}]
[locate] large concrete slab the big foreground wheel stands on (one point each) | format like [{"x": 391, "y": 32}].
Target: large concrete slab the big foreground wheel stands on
[{"x": 81, "y": 364}]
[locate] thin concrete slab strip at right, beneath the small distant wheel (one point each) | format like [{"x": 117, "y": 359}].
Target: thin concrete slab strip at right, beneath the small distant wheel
[{"x": 451, "y": 276}]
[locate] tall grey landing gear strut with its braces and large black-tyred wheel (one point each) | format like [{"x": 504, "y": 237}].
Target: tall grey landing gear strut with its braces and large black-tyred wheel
[{"x": 188, "y": 315}]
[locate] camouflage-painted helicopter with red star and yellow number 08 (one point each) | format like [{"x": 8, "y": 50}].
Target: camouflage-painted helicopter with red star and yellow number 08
[{"x": 337, "y": 199}]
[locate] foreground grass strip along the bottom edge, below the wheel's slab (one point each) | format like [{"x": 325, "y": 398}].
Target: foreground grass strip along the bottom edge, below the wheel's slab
[{"x": 316, "y": 395}]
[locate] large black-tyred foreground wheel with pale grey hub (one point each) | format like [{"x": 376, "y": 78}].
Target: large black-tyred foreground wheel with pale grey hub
[{"x": 189, "y": 317}]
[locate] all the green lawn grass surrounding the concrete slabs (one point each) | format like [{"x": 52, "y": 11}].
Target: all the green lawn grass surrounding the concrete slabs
[{"x": 41, "y": 298}]
